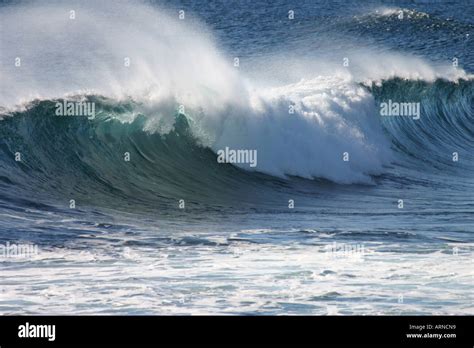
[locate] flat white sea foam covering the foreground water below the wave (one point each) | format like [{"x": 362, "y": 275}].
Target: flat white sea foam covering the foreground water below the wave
[{"x": 237, "y": 278}]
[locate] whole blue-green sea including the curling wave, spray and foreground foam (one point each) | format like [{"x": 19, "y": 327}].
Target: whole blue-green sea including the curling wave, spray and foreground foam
[{"x": 172, "y": 231}]
